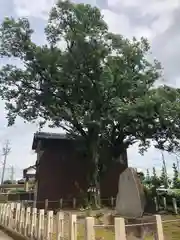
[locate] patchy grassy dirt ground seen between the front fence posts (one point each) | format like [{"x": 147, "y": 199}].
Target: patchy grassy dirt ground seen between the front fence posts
[{"x": 105, "y": 226}]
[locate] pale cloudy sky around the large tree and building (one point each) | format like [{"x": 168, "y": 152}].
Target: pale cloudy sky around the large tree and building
[{"x": 158, "y": 20}]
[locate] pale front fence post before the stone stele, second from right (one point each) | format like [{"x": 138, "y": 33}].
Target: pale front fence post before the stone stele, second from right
[{"x": 120, "y": 229}]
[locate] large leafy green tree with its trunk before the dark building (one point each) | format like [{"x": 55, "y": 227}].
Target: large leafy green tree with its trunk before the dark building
[{"x": 88, "y": 81}]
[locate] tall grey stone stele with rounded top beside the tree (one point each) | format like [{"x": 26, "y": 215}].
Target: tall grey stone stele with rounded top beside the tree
[{"x": 130, "y": 201}]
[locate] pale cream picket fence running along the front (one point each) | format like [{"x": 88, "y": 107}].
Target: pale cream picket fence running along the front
[{"x": 38, "y": 224}]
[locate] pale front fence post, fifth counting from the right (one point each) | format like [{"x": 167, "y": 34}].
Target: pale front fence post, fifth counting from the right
[{"x": 59, "y": 225}]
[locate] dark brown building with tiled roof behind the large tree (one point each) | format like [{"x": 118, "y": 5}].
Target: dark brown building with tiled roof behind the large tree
[{"x": 61, "y": 169}]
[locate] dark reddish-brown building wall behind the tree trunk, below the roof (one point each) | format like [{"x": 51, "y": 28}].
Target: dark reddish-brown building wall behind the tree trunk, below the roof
[{"x": 62, "y": 173}]
